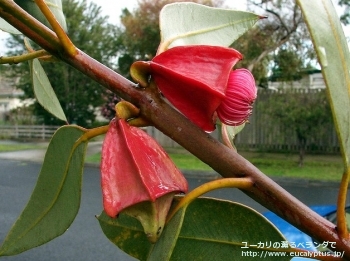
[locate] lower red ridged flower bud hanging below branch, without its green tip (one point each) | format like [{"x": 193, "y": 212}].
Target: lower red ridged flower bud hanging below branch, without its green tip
[{"x": 134, "y": 168}]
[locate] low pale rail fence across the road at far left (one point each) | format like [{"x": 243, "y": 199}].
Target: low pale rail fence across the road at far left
[{"x": 27, "y": 132}]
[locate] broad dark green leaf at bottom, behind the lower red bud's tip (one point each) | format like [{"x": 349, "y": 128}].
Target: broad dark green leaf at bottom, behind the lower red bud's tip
[{"x": 208, "y": 229}]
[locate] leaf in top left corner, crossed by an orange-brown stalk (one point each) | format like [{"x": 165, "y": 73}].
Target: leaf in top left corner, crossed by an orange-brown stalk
[{"x": 55, "y": 7}]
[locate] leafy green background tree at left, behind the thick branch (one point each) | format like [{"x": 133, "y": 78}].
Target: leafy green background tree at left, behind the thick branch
[{"x": 91, "y": 32}]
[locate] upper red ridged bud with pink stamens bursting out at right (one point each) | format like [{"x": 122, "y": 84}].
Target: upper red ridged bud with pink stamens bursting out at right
[{"x": 195, "y": 80}]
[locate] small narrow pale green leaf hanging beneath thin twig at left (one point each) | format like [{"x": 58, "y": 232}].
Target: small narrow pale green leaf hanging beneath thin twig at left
[{"x": 44, "y": 92}]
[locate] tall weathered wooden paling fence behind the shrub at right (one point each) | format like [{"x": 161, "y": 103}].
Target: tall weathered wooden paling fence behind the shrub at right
[{"x": 266, "y": 134}]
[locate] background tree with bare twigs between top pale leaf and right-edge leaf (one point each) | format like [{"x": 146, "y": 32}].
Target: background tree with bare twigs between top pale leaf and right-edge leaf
[{"x": 282, "y": 32}]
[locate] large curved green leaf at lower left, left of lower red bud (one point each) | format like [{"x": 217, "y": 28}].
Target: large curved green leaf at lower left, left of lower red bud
[{"x": 55, "y": 200}]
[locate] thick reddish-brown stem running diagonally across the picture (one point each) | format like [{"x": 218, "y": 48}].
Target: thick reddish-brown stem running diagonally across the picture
[{"x": 222, "y": 159}]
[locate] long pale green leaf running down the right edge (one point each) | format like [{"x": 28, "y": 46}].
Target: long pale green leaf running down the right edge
[{"x": 333, "y": 54}]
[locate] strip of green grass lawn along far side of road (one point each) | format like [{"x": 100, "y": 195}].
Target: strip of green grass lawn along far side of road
[{"x": 323, "y": 167}]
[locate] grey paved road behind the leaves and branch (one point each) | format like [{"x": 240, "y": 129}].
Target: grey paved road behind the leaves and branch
[{"x": 84, "y": 239}]
